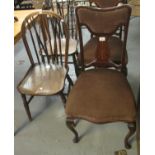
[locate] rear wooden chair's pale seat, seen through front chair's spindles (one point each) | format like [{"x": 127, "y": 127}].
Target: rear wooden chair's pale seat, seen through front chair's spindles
[{"x": 71, "y": 50}]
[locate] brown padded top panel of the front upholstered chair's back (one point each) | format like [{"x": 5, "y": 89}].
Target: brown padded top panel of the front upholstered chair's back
[{"x": 111, "y": 19}]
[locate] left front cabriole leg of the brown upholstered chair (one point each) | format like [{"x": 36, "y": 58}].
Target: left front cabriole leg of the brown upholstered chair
[{"x": 71, "y": 125}]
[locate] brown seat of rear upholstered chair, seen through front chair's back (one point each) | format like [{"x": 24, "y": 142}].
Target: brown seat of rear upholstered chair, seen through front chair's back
[{"x": 115, "y": 48}]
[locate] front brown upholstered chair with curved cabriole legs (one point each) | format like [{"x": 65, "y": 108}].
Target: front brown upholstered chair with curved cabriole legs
[{"x": 102, "y": 94}]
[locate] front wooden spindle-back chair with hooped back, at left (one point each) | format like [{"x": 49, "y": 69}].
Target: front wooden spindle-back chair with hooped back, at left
[{"x": 46, "y": 75}]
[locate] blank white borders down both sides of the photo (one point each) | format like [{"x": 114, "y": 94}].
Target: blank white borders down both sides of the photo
[{"x": 147, "y": 77}]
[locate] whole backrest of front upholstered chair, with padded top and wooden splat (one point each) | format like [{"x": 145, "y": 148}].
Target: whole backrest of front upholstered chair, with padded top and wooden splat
[{"x": 103, "y": 23}]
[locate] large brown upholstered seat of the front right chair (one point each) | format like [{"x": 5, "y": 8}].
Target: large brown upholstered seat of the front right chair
[{"x": 111, "y": 97}]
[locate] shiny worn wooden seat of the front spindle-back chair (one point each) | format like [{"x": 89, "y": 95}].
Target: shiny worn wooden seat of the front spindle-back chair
[{"x": 43, "y": 79}]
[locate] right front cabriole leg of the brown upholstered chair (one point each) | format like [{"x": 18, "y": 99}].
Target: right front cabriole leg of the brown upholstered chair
[{"x": 132, "y": 129}]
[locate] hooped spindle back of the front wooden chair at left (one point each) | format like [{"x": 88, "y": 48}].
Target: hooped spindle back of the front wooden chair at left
[{"x": 41, "y": 34}]
